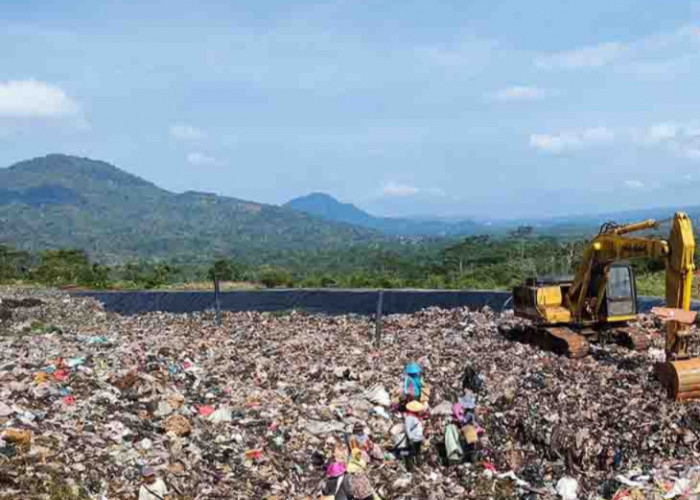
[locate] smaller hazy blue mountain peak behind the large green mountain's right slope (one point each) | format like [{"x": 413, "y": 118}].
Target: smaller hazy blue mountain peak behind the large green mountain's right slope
[{"x": 328, "y": 208}]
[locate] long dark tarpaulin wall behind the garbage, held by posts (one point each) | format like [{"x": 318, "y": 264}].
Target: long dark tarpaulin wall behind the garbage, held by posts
[{"x": 315, "y": 301}]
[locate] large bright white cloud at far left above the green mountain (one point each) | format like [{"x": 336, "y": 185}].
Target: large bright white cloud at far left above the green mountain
[{"x": 34, "y": 99}]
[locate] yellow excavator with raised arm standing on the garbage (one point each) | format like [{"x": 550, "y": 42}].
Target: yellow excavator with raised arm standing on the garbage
[{"x": 601, "y": 300}]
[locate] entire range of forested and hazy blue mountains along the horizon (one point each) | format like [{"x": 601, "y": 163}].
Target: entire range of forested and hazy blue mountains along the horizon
[{"x": 60, "y": 201}]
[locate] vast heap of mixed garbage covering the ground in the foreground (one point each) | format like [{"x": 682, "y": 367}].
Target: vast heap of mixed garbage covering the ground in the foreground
[{"x": 97, "y": 405}]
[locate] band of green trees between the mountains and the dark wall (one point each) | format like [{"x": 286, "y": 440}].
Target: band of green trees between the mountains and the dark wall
[{"x": 475, "y": 262}]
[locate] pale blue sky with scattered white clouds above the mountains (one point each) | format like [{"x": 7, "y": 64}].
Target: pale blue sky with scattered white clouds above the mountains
[{"x": 485, "y": 109}]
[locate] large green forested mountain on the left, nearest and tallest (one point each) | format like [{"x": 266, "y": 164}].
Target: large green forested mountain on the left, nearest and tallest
[{"x": 60, "y": 201}]
